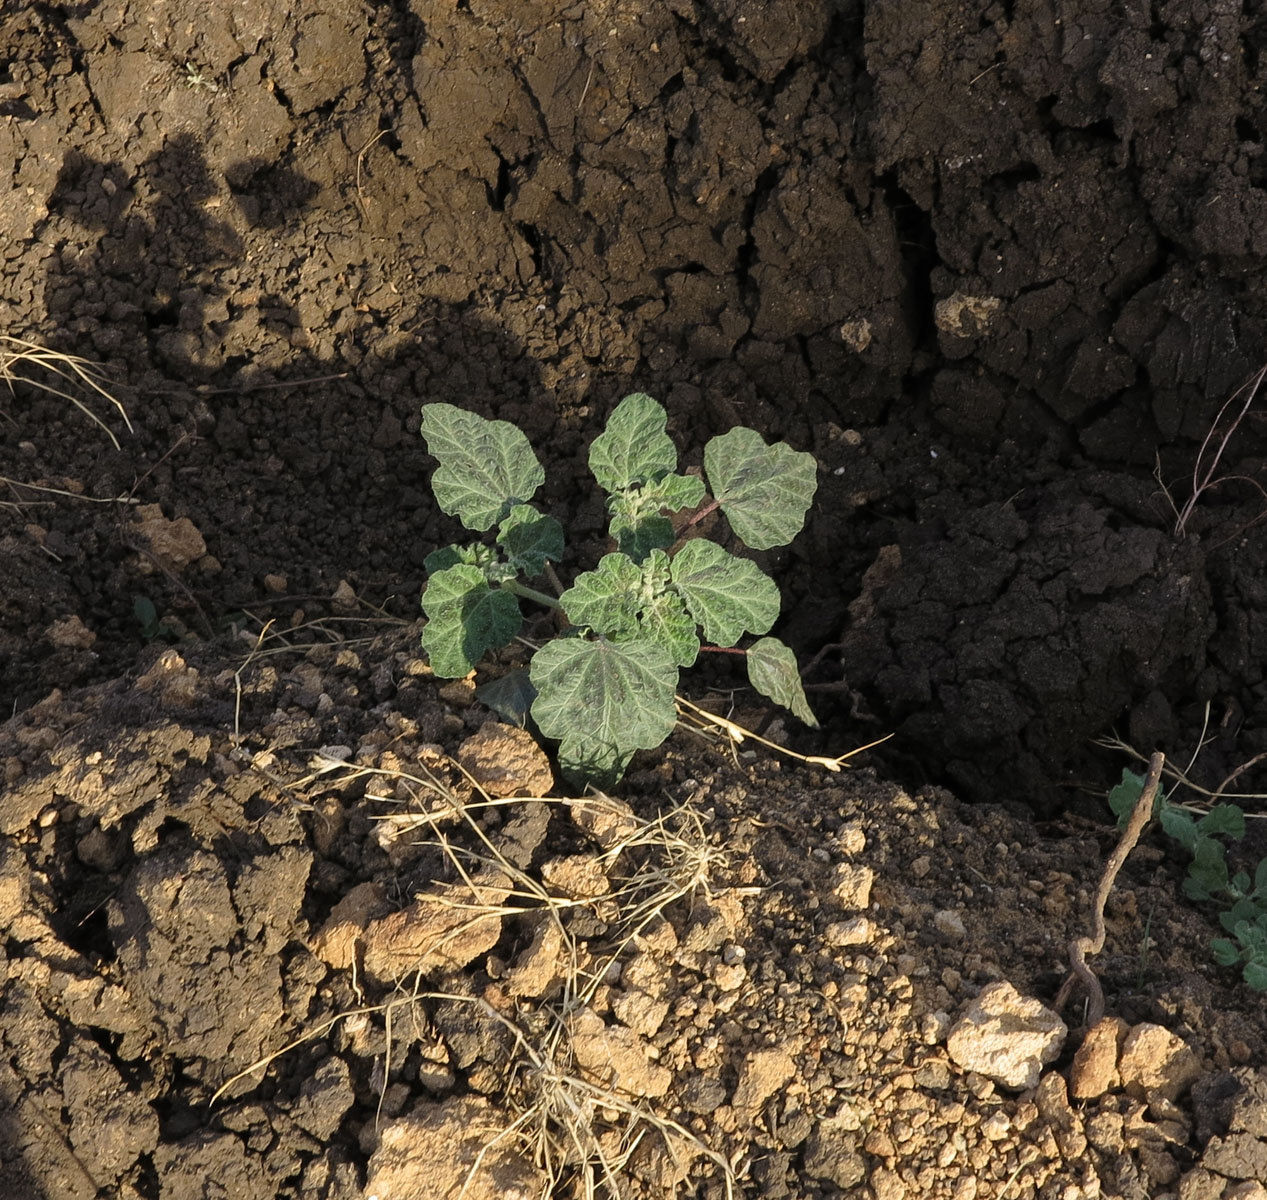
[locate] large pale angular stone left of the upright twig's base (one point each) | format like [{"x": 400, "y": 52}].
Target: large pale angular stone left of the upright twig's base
[{"x": 1007, "y": 1037}]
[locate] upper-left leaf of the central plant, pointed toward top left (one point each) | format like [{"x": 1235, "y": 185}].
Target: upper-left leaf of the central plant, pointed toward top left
[{"x": 486, "y": 467}]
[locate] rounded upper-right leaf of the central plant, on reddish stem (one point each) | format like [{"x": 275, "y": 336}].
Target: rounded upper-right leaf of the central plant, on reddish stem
[{"x": 765, "y": 491}]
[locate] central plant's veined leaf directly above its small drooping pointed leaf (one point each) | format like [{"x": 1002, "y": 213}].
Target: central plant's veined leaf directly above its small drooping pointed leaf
[{"x": 727, "y": 595}]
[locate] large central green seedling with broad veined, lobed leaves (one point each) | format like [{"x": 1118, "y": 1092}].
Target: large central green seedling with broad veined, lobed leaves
[{"x": 605, "y": 687}]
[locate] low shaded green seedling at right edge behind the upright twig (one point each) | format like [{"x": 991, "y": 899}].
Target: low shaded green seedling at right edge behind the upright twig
[{"x": 1209, "y": 878}]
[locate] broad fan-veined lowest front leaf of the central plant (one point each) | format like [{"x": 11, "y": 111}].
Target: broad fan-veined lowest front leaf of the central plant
[{"x": 604, "y": 701}]
